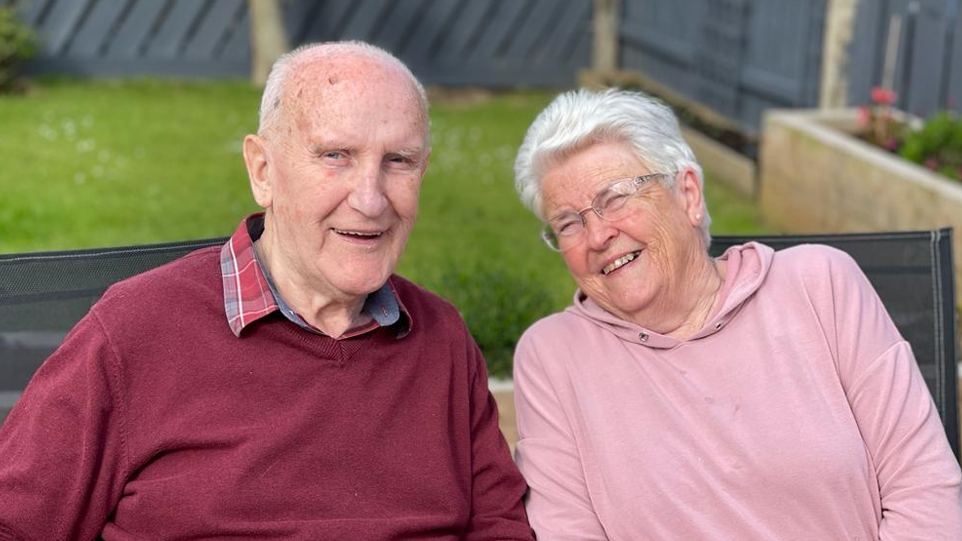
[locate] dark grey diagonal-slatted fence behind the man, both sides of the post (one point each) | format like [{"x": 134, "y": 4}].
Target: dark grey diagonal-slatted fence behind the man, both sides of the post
[{"x": 493, "y": 43}]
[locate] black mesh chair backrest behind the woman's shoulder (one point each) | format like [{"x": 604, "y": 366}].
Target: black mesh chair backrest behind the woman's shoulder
[{"x": 912, "y": 273}]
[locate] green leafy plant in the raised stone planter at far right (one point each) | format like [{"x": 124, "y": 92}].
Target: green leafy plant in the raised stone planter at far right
[{"x": 937, "y": 146}]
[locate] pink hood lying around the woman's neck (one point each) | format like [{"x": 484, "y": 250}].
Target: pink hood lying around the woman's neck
[{"x": 748, "y": 265}]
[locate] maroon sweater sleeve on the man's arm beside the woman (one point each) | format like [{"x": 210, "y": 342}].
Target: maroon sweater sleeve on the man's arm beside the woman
[{"x": 497, "y": 511}]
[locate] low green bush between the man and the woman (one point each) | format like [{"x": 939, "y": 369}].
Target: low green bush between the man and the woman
[{"x": 497, "y": 303}]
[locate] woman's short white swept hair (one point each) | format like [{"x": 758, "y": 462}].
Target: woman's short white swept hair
[{"x": 578, "y": 119}]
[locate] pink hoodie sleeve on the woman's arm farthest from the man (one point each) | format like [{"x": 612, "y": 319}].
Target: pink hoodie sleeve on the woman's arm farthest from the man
[{"x": 918, "y": 477}]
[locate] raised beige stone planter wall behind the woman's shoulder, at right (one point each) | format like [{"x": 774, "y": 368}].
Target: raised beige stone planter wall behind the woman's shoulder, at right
[{"x": 817, "y": 178}]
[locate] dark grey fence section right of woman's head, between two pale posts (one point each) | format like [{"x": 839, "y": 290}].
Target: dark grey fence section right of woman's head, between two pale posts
[{"x": 738, "y": 57}]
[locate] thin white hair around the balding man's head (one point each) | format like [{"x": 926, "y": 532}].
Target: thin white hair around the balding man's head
[{"x": 271, "y": 101}]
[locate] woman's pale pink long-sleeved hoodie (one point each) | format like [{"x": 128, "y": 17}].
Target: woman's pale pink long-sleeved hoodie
[{"x": 797, "y": 413}]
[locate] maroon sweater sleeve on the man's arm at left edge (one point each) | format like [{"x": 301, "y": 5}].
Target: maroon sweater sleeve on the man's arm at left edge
[{"x": 62, "y": 453}]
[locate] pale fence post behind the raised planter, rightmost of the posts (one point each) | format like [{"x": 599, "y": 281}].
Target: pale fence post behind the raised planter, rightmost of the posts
[{"x": 839, "y": 28}]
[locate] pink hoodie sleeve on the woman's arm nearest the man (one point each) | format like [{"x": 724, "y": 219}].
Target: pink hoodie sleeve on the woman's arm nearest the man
[{"x": 558, "y": 504}]
